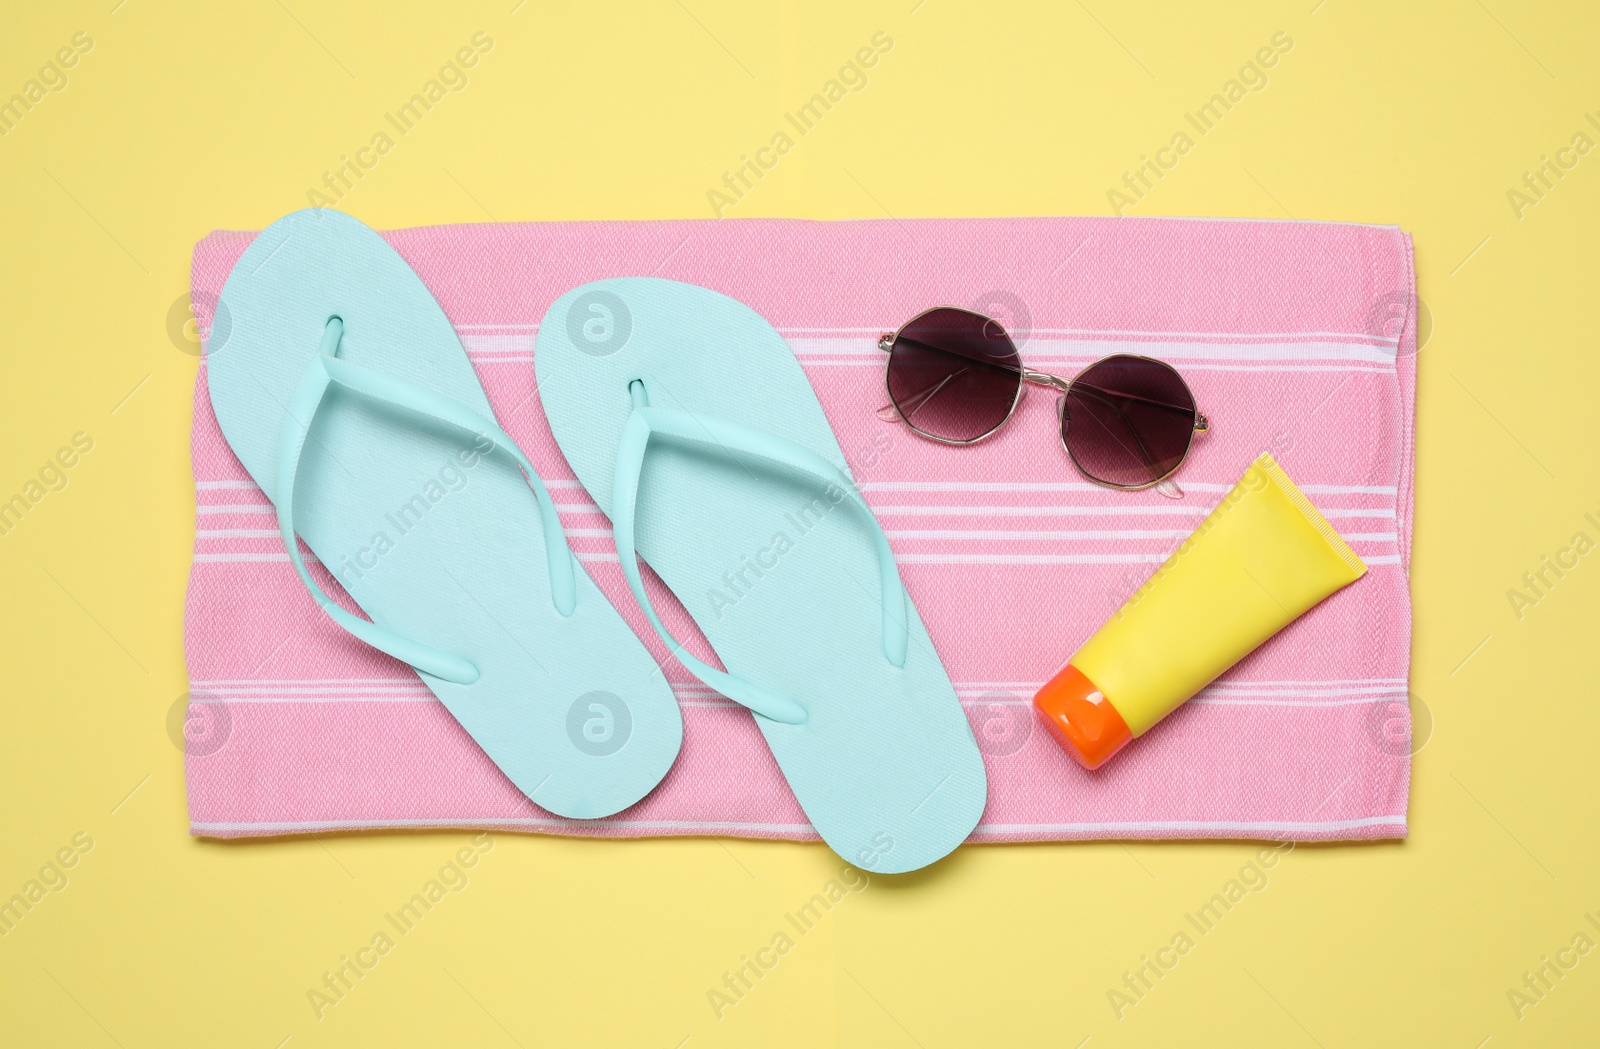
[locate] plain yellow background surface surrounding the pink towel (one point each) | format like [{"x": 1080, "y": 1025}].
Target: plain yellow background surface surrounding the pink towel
[{"x": 185, "y": 119}]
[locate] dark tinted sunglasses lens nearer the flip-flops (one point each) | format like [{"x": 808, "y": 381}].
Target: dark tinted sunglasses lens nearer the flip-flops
[{"x": 954, "y": 375}]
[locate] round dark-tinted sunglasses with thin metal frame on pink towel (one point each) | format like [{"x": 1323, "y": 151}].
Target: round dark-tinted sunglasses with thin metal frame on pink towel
[{"x": 956, "y": 377}]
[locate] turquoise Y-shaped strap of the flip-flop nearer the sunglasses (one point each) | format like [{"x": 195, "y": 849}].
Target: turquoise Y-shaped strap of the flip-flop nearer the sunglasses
[{"x": 734, "y": 439}]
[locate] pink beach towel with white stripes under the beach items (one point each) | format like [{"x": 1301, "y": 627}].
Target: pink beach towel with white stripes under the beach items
[{"x": 1295, "y": 337}]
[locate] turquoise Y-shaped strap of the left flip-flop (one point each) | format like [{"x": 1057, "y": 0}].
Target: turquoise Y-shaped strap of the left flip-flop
[{"x": 329, "y": 370}]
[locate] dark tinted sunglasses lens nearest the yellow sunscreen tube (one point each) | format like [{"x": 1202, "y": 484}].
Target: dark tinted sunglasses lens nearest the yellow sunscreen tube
[{"x": 1129, "y": 421}]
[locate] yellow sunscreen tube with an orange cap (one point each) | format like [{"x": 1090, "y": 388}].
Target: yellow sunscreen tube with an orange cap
[{"x": 1257, "y": 564}]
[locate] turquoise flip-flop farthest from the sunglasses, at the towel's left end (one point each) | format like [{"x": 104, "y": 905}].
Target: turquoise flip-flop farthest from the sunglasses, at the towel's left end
[{"x": 350, "y": 401}]
